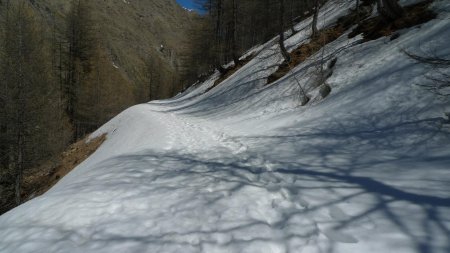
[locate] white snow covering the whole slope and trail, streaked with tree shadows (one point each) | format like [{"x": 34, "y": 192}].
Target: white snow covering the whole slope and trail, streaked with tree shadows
[{"x": 244, "y": 168}]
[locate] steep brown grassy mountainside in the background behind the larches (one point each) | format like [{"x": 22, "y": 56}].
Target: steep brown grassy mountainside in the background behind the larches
[{"x": 133, "y": 67}]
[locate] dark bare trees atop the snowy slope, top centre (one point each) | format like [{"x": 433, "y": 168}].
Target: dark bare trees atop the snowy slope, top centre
[{"x": 237, "y": 25}]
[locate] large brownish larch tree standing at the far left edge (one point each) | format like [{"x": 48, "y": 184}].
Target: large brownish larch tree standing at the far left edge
[{"x": 28, "y": 92}]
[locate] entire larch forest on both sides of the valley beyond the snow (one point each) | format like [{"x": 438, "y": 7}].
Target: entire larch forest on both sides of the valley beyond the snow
[{"x": 57, "y": 83}]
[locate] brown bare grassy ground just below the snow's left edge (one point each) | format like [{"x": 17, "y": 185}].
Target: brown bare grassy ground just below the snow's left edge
[{"x": 38, "y": 180}]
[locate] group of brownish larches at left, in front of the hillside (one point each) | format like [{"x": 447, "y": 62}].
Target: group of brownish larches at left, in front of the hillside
[{"x": 41, "y": 84}]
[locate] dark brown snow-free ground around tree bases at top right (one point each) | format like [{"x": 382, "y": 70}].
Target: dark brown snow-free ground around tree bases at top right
[{"x": 376, "y": 27}]
